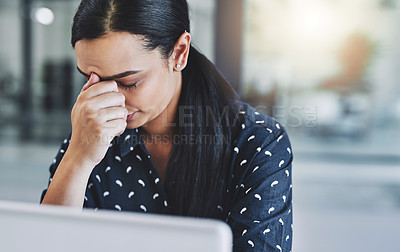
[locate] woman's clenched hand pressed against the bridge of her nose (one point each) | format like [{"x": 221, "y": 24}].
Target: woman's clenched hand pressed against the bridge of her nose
[{"x": 99, "y": 115}]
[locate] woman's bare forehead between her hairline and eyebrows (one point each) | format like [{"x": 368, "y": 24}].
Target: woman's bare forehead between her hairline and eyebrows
[{"x": 113, "y": 53}]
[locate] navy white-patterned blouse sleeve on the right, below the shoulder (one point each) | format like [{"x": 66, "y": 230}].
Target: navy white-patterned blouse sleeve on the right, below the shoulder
[{"x": 261, "y": 214}]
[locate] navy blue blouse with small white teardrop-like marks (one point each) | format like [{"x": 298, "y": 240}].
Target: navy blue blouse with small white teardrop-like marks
[{"x": 260, "y": 215}]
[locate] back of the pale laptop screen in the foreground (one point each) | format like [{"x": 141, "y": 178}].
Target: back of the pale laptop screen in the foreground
[{"x": 33, "y": 227}]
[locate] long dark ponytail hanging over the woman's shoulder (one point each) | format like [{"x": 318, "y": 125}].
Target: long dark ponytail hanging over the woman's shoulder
[{"x": 197, "y": 173}]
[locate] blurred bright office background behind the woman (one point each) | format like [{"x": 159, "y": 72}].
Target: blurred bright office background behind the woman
[{"x": 328, "y": 70}]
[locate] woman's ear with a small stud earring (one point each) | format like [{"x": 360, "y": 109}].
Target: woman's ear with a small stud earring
[{"x": 181, "y": 52}]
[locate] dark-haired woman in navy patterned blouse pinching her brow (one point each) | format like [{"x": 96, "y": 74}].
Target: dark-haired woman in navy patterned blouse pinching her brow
[{"x": 157, "y": 129}]
